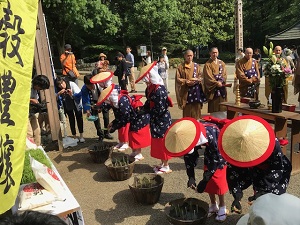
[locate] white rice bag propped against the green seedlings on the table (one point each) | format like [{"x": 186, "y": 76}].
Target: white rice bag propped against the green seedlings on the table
[{"x": 48, "y": 179}]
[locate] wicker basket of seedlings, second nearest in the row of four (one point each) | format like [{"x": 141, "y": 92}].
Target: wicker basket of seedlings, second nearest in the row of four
[{"x": 146, "y": 188}]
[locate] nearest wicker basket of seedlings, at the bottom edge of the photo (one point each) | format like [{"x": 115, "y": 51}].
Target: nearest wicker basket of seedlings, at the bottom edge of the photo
[{"x": 187, "y": 211}]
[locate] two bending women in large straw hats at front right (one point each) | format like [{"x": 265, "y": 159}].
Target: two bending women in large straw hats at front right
[{"x": 244, "y": 152}]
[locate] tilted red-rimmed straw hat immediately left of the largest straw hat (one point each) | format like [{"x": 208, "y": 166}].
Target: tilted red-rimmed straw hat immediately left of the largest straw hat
[{"x": 182, "y": 136}]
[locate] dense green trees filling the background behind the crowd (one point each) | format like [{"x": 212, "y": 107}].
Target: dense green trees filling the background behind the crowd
[{"x": 108, "y": 26}]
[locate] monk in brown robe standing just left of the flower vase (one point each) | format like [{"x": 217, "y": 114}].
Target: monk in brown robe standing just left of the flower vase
[{"x": 247, "y": 72}]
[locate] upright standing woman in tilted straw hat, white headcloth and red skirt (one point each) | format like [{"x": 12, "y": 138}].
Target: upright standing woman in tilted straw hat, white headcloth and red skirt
[{"x": 157, "y": 105}]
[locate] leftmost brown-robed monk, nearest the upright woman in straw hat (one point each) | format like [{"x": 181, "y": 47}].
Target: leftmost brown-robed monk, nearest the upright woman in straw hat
[{"x": 189, "y": 87}]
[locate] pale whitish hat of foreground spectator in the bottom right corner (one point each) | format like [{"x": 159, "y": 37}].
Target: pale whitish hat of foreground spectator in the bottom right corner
[{"x": 271, "y": 209}]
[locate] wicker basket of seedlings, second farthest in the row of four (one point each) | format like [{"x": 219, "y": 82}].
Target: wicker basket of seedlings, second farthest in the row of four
[{"x": 119, "y": 171}]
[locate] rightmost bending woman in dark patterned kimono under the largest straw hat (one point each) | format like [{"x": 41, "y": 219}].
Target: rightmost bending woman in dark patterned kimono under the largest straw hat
[{"x": 254, "y": 157}]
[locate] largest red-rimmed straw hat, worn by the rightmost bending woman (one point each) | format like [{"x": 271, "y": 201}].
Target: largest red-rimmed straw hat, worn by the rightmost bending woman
[{"x": 246, "y": 141}]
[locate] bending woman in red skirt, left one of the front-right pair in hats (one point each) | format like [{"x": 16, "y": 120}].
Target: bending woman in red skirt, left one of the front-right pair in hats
[{"x": 185, "y": 137}]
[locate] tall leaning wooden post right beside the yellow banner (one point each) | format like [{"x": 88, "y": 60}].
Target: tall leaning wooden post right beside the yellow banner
[{"x": 43, "y": 66}]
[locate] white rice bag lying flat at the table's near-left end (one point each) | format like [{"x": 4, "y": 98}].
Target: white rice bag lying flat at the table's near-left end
[{"x": 34, "y": 195}]
